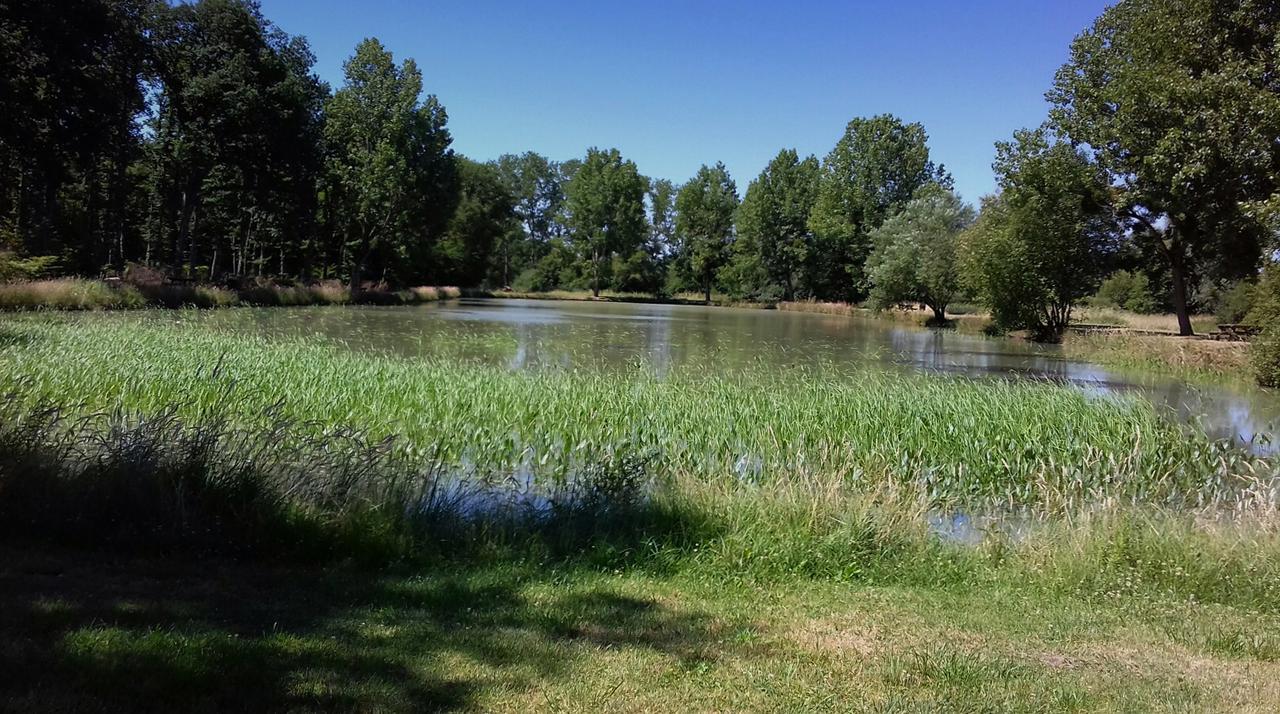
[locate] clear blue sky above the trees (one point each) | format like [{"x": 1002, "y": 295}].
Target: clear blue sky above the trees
[{"x": 674, "y": 85}]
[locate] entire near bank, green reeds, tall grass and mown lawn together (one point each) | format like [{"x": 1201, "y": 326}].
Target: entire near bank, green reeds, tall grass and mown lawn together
[{"x": 292, "y": 525}]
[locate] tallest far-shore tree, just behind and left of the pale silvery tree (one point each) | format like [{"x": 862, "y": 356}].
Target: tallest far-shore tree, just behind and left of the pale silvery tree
[{"x": 874, "y": 171}]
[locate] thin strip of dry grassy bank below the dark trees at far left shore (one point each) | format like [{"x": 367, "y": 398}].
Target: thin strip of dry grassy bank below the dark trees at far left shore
[{"x": 77, "y": 294}]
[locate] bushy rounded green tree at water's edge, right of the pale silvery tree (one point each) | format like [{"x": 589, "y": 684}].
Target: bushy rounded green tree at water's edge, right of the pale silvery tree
[{"x": 1045, "y": 242}]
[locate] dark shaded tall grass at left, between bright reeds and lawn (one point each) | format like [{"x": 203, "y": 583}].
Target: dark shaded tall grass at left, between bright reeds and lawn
[{"x": 163, "y": 486}]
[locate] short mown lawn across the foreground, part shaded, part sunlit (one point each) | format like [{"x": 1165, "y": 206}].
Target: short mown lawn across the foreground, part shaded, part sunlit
[{"x": 94, "y": 634}]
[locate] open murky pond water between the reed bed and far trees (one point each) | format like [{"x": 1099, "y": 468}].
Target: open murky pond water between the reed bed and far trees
[{"x": 524, "y": 335}]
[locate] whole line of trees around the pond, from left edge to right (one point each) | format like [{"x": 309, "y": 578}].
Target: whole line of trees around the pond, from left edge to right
[{"x": 196, "y": 139}]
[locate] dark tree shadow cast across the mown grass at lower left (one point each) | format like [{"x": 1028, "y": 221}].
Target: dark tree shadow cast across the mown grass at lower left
[{"x": 85, "y": 634}]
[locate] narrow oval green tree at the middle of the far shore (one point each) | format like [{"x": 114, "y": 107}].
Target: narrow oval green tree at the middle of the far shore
[{"x": 705, "y": 223}]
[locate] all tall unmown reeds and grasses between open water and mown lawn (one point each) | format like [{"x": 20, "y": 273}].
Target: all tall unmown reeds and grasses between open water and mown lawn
[{"x": 140, "y": 433}]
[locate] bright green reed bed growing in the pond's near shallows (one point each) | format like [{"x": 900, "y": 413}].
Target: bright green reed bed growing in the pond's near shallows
[{"x": 962, "y": 443}]
